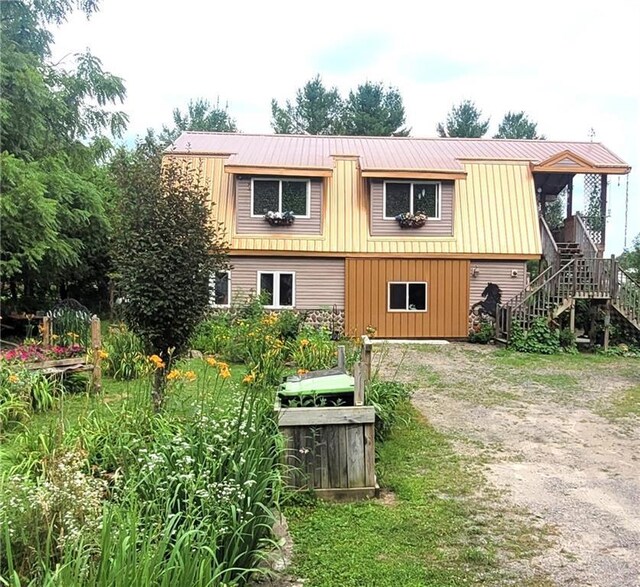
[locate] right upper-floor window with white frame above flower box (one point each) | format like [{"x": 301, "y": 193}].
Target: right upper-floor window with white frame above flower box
[{"x": 401, "y": 197}]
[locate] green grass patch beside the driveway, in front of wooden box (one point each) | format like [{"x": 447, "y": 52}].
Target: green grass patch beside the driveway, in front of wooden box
[{"x": 436, "y": 532}]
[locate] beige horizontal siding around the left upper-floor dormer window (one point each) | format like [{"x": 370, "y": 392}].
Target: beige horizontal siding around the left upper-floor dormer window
[{"x": 246, "y": 224}]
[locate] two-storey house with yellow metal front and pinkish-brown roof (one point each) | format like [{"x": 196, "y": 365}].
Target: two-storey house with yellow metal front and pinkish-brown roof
[{"x": 335, "y": 225}]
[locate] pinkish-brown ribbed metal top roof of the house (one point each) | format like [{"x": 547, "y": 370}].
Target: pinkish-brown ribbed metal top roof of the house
[{"x": 382, "y": 153}]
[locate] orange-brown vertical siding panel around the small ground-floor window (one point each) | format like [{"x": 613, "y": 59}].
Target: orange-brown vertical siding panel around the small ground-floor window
[{"x": 447, "y": 297}]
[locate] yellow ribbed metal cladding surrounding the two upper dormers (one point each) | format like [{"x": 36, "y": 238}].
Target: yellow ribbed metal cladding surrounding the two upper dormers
[{"x": 495, "y": 214}]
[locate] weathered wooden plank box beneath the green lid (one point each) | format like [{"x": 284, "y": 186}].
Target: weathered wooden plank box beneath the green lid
[{"x": 330, "y": 449}]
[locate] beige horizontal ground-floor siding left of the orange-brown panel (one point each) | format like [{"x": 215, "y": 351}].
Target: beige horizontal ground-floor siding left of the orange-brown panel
[{"x": 319, "y": 282}]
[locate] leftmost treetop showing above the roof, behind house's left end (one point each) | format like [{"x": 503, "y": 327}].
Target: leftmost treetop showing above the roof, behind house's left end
[{"x": 201, "y": 115}]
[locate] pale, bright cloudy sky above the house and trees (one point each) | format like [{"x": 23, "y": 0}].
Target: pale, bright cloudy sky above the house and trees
[{"x": 571, "y": 66}]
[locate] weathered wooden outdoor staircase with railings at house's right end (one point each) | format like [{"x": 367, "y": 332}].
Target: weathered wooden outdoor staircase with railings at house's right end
[{"x": 555, "y": 289}]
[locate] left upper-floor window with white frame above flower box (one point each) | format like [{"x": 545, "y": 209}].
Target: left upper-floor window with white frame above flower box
[{"x": 280, "y": 195}]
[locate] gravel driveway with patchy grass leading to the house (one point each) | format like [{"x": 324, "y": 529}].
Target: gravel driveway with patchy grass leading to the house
[{"x": 548, "y": 433}]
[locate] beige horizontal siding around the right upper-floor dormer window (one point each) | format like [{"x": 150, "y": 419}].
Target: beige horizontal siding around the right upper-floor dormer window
[{"x": 382, "y": 227}]
